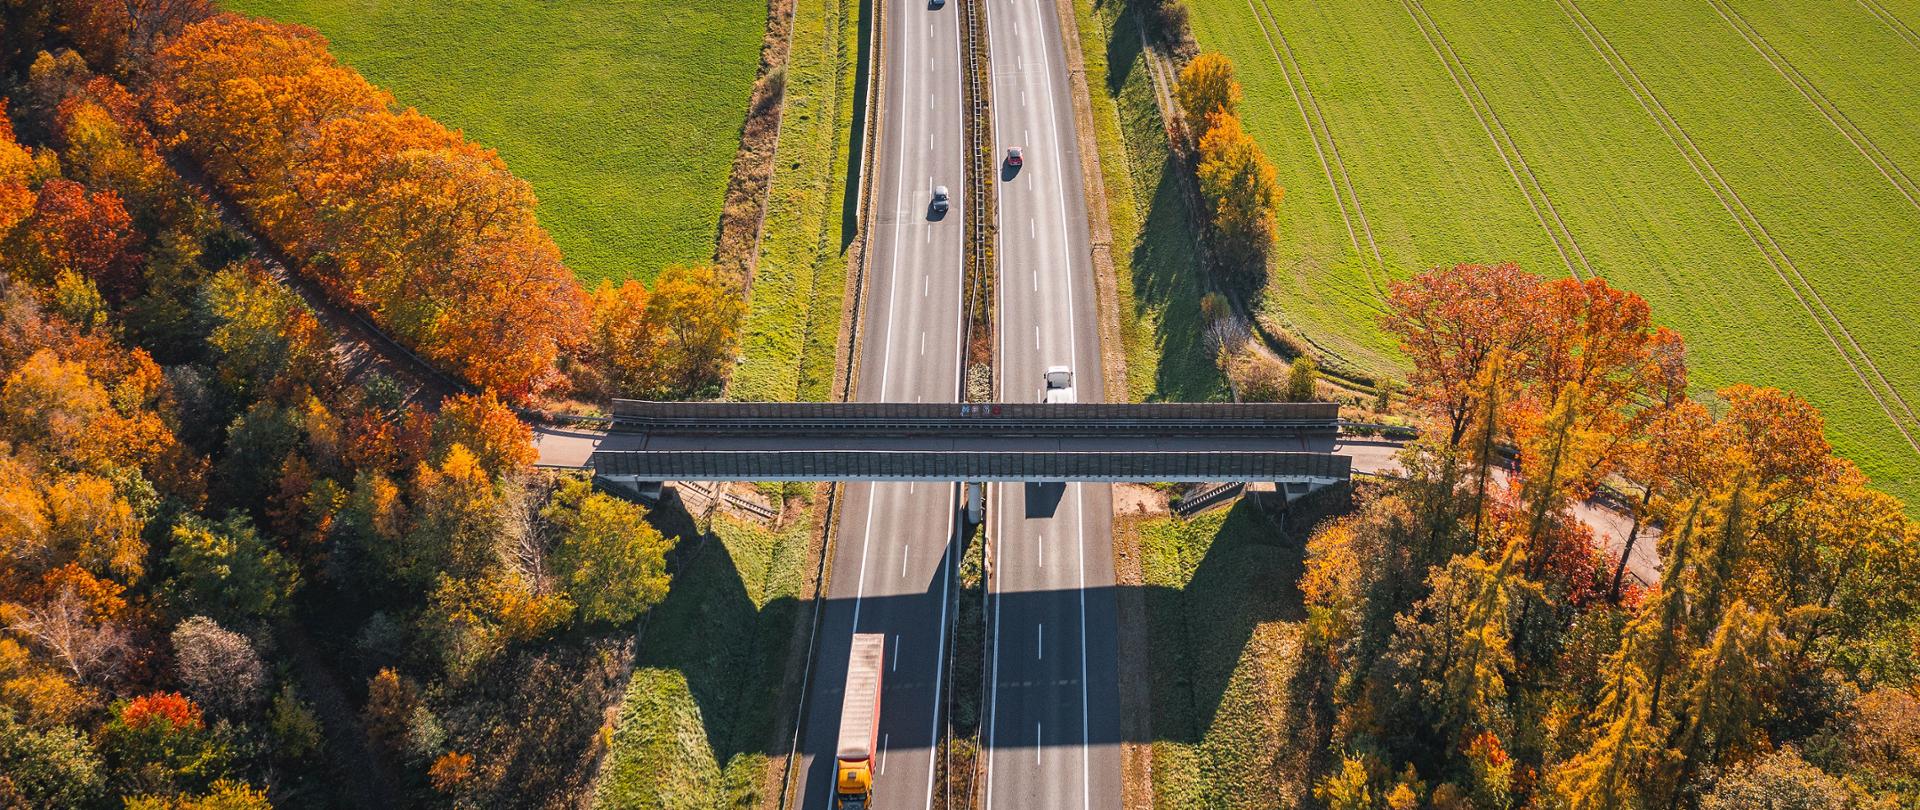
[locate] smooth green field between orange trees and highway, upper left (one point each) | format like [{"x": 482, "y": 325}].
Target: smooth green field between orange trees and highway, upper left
[{"x": 625, "y": 116}]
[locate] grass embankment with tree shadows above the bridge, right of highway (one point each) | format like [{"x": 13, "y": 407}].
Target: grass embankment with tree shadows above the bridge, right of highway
[{"x": 1155, "y": 264}]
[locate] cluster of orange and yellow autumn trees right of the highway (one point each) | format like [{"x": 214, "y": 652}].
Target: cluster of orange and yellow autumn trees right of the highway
[{"x": 1472, "y": 650}]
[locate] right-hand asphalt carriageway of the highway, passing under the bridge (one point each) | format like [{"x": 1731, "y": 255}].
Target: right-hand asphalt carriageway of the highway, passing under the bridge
[{"x": 1053, "y": 734}]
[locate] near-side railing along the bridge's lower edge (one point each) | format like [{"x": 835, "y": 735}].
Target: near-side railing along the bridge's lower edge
[{"x": 871, "y": 465}]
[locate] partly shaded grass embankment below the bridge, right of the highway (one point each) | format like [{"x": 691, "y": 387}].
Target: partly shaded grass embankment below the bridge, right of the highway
[{"x": 1224, "y": 629}]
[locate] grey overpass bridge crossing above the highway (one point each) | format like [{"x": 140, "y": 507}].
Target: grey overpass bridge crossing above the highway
[{"x": 1289, "y": 444}]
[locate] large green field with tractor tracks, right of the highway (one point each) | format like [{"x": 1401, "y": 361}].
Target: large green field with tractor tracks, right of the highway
[{"x": 1748, "y": 166}]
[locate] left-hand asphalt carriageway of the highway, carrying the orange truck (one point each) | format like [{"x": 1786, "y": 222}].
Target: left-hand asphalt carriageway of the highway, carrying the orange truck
[{"x": 896, "y": 538}]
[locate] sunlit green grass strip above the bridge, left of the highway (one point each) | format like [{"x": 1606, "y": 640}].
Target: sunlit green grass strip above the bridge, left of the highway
[{"x": 794, "y": 318}]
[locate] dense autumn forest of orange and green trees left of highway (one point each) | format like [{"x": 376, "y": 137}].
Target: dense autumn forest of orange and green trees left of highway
[{"x": 241, "y": 567}]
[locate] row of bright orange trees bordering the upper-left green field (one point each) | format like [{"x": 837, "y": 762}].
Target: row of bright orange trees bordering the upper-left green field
[{"x": 391, "y": 212}]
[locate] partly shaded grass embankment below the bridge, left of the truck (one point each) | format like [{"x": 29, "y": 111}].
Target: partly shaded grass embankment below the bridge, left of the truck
[{"x": 698, "y": 717}]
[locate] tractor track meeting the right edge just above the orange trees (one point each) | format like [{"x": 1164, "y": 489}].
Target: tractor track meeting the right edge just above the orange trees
[{"x": 1810, "y": 298}]
